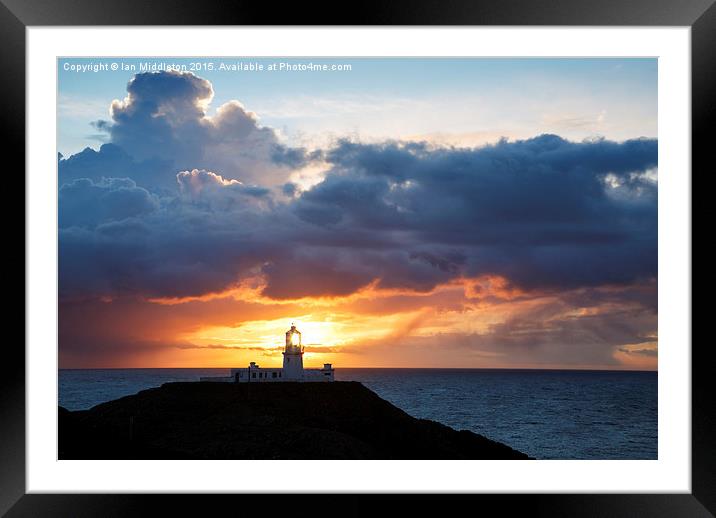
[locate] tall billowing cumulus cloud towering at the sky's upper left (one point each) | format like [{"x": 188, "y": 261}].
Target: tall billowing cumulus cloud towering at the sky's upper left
[{"x": 166, "y": 117}]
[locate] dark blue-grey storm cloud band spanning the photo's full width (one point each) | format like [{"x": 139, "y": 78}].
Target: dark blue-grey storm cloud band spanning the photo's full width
[{"x": 544, "y": 213}]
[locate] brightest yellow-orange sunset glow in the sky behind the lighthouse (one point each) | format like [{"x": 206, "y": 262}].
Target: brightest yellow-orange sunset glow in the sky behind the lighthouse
[{"x": 355, "y": 330}]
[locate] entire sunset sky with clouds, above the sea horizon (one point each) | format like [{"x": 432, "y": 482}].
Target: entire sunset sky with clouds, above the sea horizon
[{"x": 403, "y": 212}]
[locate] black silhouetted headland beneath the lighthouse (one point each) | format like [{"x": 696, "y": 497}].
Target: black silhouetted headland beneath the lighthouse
[{"x": 340, "y": 420}]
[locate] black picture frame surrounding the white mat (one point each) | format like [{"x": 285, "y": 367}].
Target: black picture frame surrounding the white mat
[{"x": 16, "y": 15}]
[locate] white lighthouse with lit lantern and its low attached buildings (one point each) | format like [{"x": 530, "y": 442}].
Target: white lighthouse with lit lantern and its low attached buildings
[{"x": 292, "y": 367}]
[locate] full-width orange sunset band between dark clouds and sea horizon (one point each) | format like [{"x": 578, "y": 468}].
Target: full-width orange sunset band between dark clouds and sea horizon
[{"x": 479, "y": 322}]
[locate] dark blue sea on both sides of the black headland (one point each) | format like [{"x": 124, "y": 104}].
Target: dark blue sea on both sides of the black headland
[{"x": 546, "y": 414}]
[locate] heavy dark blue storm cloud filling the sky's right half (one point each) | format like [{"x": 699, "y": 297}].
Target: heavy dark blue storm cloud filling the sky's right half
[{"x": 542, "y": 211}]
